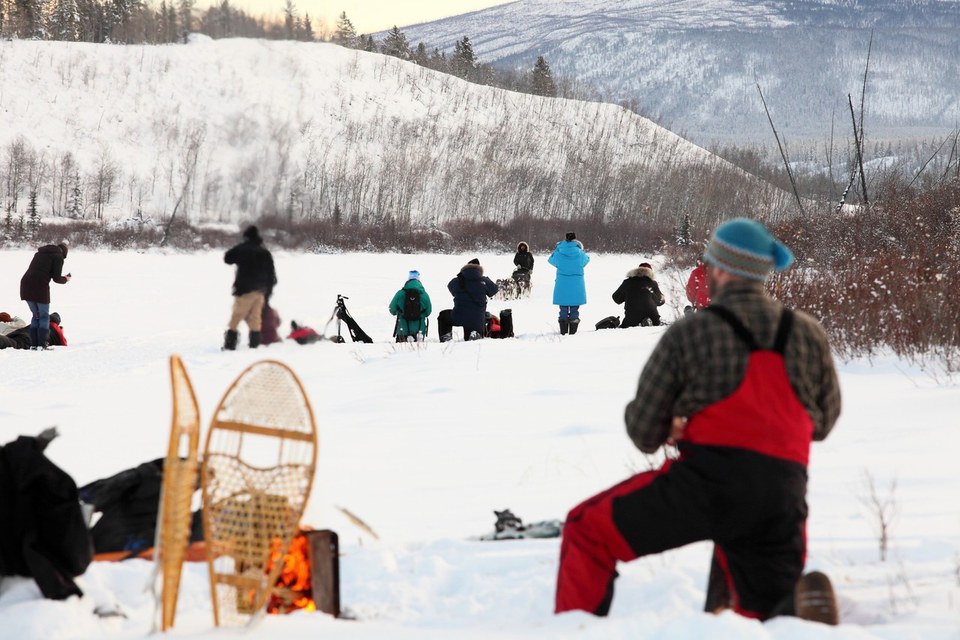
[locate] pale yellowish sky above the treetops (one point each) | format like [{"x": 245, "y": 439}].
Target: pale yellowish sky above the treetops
[{"x": 367, "y": 16}]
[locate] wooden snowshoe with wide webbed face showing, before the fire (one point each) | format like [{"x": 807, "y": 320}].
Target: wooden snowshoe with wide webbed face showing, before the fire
[{"x": 258, "y": 468}]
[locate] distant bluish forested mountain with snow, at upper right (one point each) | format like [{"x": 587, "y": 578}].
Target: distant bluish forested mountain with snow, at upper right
[{"x": 694, "y": 65}]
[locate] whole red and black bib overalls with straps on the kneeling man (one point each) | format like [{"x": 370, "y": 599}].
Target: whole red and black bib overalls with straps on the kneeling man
[{"x": 740, "y": 481}]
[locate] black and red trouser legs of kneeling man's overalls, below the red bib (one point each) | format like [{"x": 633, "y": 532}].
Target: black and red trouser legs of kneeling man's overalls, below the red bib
[{"x": 752, "y": 507}]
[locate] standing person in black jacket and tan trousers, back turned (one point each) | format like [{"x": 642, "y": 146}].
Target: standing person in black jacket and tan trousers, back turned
[{"x": 252, "y": 286}]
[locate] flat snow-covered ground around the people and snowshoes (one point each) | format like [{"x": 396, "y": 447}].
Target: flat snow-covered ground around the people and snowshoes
[{"x": 424, "y": 442}]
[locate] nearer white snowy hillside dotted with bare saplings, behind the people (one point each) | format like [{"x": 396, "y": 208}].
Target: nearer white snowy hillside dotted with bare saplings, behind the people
[{"x": 235, "y": 129}]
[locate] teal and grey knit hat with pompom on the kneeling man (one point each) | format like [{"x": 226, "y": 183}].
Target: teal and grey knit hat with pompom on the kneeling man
[{"x": 745, "y": 248}]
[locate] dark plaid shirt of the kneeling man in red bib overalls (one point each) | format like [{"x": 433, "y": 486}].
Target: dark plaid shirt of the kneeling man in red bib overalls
[{"x": 700, "y": 360}]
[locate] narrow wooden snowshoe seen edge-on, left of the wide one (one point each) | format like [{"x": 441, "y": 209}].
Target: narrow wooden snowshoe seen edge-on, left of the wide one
[{"x": 180, "y": 472}]
